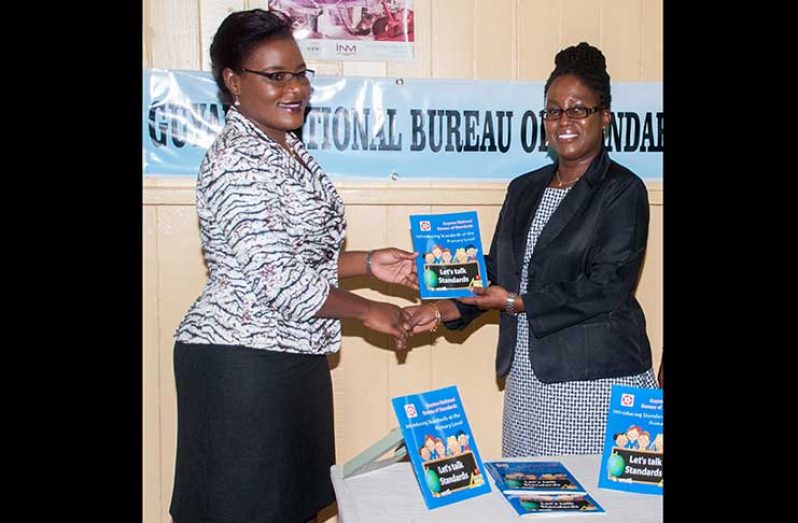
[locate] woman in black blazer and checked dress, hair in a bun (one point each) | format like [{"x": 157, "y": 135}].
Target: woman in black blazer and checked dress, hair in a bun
[{"x": 563, "y": 265}]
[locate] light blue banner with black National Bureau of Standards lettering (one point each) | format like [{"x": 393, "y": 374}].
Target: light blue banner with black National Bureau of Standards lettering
[{"x": 411, "y": 129}]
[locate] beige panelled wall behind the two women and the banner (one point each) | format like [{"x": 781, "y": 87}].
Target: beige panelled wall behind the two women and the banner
[{"x": 466, "y": 39}]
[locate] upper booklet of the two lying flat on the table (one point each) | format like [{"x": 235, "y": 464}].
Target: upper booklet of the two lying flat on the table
[{"x": 533, "y": 477}]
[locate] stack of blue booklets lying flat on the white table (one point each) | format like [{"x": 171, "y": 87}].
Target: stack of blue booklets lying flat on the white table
[{"x": 537, "y": 488}]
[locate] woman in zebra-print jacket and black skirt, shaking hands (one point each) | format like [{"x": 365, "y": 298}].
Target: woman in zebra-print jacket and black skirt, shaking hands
[{"x": 255, "y": 428}]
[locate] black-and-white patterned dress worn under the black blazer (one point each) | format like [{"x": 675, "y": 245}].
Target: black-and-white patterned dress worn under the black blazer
[{"x": 553, "y": 418}]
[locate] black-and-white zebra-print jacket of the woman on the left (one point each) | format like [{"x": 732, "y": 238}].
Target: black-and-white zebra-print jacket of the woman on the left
[{"x": 271, "y": 234}]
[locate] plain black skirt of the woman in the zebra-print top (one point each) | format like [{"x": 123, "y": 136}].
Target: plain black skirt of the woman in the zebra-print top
[{"x": 255, "y": 436}]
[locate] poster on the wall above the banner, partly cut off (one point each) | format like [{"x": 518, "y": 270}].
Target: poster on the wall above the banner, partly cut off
[{"x": 380, "y": 30}]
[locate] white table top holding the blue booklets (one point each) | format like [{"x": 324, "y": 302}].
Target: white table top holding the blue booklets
[{"x": 391, "y": 495}]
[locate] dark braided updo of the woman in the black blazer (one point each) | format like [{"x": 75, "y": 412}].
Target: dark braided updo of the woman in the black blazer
[{"x": 588, "y": 64}]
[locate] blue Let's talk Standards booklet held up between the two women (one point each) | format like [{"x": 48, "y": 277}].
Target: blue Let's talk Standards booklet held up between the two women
[{"x": 451, "y": 259}]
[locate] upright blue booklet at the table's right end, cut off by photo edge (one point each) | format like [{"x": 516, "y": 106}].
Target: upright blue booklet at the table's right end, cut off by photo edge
[{"x": 633, "y": 444}]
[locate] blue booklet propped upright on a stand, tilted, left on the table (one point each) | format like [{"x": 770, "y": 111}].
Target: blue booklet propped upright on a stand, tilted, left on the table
[{"x": 442, "y": 449}]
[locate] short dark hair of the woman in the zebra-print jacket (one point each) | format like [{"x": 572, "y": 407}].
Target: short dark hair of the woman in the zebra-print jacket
[{"x": 239, "y": 34}]
